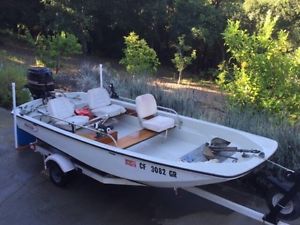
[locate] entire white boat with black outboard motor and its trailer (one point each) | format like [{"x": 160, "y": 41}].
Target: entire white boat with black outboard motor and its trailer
[{"x": 120, "y": 141}]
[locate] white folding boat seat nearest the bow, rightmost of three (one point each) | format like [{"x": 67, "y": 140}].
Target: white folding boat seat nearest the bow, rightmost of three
[{"x": 146, "y": 107}]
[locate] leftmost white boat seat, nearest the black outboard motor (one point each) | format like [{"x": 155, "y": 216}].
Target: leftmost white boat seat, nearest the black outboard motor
[{"x": 62, "y": 109}]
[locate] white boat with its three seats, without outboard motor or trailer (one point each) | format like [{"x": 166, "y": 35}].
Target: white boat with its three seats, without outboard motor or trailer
[{"x": 140, "y": 141}]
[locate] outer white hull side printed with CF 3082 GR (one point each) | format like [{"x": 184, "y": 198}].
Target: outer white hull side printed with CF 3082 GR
[{"x": 120, "y": 165}]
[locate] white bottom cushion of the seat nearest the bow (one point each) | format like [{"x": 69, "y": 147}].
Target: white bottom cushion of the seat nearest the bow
[{"x": 159, "y": 123}]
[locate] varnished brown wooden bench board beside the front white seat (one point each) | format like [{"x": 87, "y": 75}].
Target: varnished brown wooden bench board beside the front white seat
[{"x": 135, "y": 138}]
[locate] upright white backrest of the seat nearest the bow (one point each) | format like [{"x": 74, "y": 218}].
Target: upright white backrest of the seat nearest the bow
[{"x": 145, "y": 105}]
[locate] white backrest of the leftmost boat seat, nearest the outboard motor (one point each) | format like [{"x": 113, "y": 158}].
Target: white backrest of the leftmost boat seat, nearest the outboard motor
[{"x": 60, "y": 108}]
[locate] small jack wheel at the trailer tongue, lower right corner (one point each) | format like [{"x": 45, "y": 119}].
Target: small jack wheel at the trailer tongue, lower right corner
[{"x": 292, "y": 209}]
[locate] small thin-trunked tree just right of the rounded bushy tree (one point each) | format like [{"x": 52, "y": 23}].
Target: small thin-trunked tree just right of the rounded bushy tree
[{"x": 181, "y": 60}]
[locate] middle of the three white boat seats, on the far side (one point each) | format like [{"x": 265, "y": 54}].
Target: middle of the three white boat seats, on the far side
[{"x": 100, "y": 103}]
